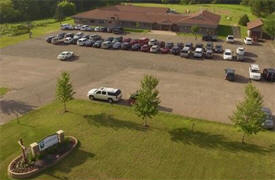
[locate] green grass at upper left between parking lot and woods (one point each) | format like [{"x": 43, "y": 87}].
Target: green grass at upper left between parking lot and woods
[{"x": 42, "y": 27}]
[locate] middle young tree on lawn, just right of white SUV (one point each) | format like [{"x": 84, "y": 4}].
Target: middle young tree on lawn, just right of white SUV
[{"x": 147, "y": 102}]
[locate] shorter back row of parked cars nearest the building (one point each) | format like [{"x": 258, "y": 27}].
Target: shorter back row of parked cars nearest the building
[{"x": 115, "y": 30}]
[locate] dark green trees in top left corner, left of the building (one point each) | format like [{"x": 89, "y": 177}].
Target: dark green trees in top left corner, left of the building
[{"x": 27, "y": 10}]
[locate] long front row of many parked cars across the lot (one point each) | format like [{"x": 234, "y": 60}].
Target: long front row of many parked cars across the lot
[{"x": 186, "y": 50}]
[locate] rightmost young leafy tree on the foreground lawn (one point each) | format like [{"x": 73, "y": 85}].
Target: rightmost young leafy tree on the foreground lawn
[{"x": 249, "y": 116}]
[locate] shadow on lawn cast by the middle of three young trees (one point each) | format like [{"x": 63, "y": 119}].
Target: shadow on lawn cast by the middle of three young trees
[{"x": 107, "y": 120}]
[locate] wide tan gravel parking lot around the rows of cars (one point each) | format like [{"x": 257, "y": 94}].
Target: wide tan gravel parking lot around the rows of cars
[{"x": 189, "y": 87}]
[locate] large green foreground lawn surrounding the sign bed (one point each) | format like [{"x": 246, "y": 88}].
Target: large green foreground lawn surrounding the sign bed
[{"x": 114, "y": 145}]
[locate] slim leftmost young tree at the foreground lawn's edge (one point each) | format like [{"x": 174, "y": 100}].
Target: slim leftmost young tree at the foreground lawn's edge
[{"x": 64, "y": 89}]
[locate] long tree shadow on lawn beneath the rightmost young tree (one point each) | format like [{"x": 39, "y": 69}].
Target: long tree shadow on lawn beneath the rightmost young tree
[{"x": 213, "y": 141}]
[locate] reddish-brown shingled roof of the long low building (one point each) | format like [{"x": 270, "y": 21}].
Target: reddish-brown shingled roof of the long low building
[{"x": 150, "y": 15}]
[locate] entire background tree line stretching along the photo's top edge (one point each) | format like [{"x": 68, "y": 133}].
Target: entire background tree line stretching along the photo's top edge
[{"x": 27, "y": 10}]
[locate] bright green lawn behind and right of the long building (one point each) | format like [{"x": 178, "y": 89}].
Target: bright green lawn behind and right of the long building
[{"x": 230, "y": 14}]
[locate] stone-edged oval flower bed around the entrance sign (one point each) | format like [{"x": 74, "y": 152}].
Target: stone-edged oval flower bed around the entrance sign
[{"x": 19, "y": 169}]
